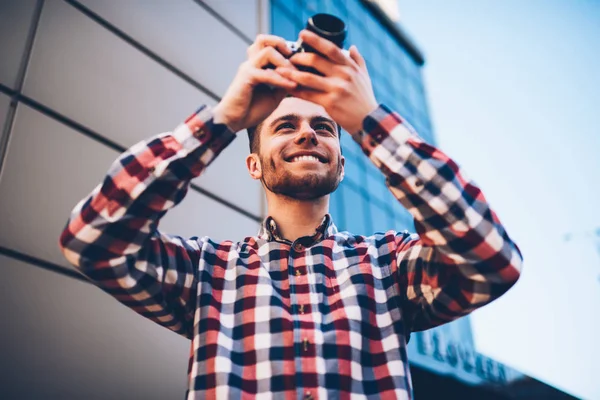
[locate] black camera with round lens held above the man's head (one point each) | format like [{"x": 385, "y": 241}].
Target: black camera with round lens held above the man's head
[{"x": 328, "y": 27}]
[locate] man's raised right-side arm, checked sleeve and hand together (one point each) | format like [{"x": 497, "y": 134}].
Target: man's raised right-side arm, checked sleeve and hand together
[{"x": 461, "y": 258}]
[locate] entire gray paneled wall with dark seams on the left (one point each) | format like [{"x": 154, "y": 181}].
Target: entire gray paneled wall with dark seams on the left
[{"x": 124, "y": 71}]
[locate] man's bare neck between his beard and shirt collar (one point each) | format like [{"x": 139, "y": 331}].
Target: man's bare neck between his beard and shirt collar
[{"x": 296, "y": 218}]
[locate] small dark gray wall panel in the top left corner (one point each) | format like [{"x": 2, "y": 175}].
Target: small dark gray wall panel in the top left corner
[{"x": 15, "y": 22}]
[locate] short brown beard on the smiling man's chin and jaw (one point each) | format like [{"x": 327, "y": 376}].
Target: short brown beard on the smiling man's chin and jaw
[{"x": 308, "y": 186}]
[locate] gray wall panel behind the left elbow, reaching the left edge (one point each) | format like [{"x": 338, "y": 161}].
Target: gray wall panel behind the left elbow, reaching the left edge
[{"x": 50, "y": 167}]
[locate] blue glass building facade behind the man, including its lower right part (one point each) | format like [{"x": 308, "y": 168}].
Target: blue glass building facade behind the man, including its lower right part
[{"x": 363, "y": 204}]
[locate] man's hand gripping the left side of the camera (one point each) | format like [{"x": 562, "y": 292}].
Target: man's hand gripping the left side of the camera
[{"x": 255, "y": 92}]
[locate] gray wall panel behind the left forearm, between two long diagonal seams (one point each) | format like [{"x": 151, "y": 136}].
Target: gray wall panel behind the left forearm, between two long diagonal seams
[{"x": 90, "y": 75}]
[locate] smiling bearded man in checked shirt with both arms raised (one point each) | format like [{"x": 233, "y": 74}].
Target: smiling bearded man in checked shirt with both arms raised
[{"x": 301, "y": 310}]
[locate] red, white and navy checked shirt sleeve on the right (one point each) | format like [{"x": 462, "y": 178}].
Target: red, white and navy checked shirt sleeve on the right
[{"x": 461, "y": 257}]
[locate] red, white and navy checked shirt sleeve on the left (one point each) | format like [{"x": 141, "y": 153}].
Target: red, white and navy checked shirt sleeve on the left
[{"x": 112, "y": 234}]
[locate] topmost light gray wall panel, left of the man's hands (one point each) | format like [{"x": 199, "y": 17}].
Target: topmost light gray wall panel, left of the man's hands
[{"x": 183, "y": 33}]
